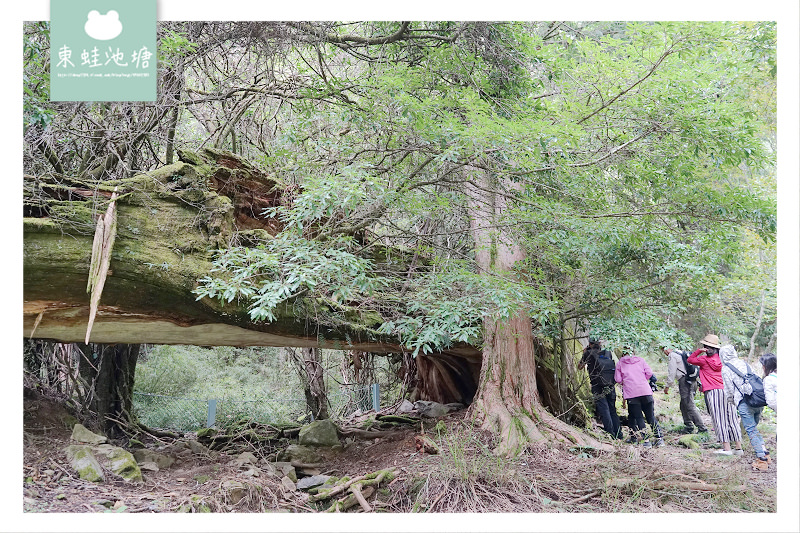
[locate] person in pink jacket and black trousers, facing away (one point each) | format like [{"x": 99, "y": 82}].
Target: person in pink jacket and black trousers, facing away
[{"x": 634, "y": 374}]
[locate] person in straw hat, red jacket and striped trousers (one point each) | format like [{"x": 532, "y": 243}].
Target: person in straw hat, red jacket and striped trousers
[{"x": 723, "y": 414}]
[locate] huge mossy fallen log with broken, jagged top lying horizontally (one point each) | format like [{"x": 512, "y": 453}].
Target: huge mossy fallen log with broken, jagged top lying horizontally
[{"x": 169, "y": 223}]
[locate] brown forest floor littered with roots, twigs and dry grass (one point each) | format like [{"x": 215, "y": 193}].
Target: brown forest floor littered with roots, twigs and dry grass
[{"x": 463, "y": 477}]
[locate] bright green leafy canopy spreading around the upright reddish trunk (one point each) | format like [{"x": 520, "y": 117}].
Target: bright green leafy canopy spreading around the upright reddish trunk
[{"x": 624, "y": 157}]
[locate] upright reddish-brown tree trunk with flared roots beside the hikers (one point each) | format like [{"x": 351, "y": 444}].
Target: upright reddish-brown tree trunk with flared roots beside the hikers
[{"x": 507, "y": 402}]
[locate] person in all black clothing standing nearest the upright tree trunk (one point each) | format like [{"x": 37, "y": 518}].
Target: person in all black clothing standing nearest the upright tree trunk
[{"x": 600, "y": 366}]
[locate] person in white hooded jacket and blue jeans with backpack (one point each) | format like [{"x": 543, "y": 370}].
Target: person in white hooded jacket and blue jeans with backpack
[{"x": 736, "y": 387}]
